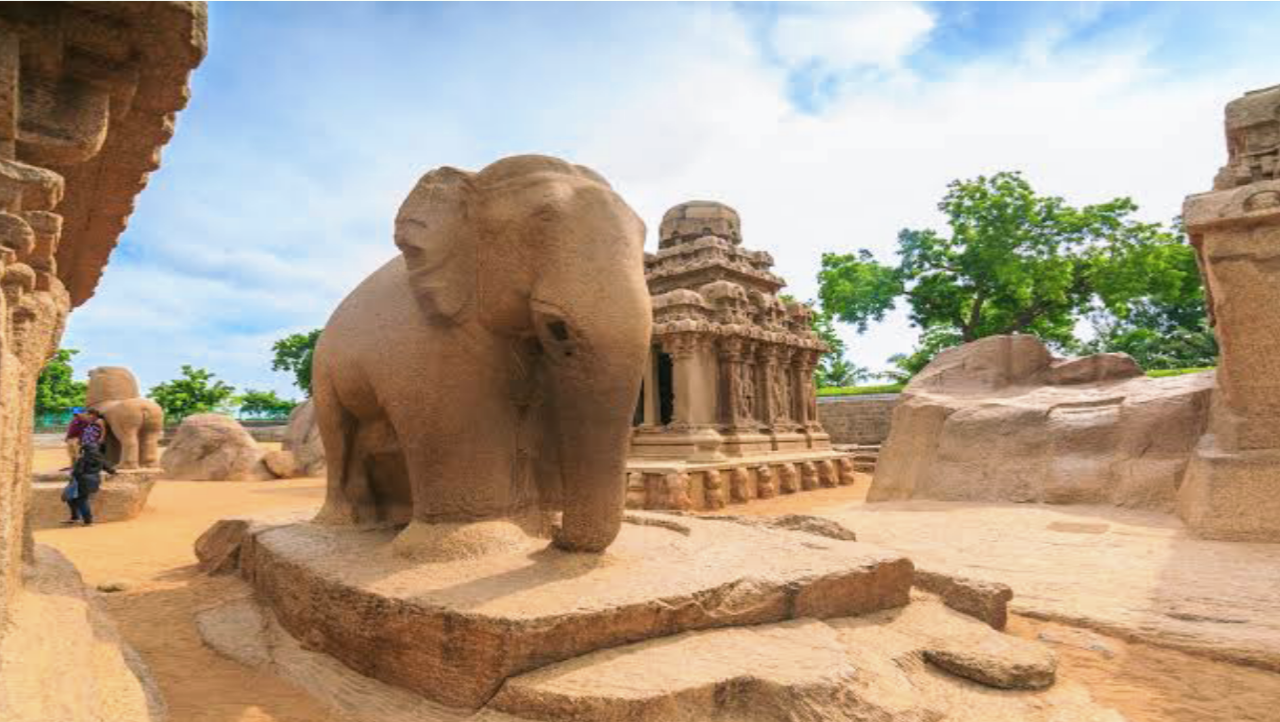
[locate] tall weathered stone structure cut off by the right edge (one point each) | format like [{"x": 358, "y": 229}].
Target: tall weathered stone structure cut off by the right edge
[{"x": 1232, "y": 490}]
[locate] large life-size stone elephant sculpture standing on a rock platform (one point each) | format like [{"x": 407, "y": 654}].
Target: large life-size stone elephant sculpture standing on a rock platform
[{"x": 484, "y": 380}]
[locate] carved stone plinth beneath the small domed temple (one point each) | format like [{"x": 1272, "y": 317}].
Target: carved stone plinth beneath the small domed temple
[{"x": 685, "y": 486}]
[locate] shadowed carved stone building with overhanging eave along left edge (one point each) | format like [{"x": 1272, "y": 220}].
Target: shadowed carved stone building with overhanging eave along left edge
[{"x": 88, "y": 98}]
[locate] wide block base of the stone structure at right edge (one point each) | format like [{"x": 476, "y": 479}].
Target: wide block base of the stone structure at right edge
[{"x": 1232, "y": 497}]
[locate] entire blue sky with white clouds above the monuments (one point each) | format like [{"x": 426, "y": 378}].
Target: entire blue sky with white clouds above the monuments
[{"x": 829, "y": 126}]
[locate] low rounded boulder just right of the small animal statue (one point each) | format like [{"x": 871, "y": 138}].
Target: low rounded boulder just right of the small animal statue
[{"x": 212, "y": 447}]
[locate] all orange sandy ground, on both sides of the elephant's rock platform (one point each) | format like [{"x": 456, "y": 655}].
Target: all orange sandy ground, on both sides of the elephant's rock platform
[{"x": 153, "y": 556}]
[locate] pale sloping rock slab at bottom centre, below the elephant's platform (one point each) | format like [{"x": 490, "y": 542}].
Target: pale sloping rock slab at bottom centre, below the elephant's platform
[{"x": 842, "y": 671}]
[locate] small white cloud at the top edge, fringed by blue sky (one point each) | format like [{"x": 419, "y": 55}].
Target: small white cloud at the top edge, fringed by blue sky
[{"x": 851, "y": 35}]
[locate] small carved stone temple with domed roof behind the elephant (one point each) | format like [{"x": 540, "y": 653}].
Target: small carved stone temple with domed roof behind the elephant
[{"x": 729, "y": 408}]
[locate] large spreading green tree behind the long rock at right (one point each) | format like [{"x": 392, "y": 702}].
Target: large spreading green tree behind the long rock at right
[{"x": 1014, "y": 262}]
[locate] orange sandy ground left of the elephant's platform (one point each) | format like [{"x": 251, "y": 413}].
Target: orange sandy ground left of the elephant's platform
[{"x": 153, "y": 556}]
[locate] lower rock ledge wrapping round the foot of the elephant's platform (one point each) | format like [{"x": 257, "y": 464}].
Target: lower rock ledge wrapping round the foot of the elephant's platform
[{"x": 921, "y": 662}]
